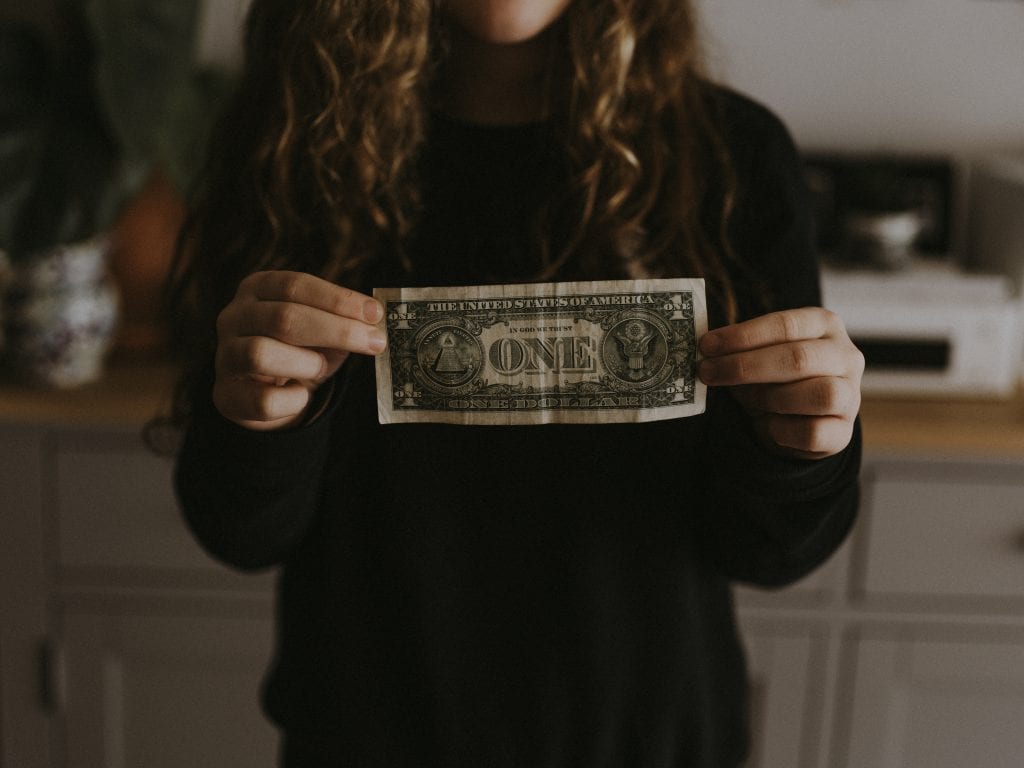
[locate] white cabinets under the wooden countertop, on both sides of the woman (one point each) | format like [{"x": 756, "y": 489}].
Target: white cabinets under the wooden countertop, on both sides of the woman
[{"x": 906, "y": 651}]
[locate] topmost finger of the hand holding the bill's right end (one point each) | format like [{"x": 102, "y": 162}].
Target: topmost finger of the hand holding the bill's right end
[{"x": 769, "y": 330}]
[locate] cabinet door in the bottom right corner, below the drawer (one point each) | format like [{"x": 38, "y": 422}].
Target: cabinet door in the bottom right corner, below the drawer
[{"x": 936, "y": 699}]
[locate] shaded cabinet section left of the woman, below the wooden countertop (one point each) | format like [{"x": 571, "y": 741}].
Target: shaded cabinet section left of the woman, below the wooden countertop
[{"x": 133, "y": 648}]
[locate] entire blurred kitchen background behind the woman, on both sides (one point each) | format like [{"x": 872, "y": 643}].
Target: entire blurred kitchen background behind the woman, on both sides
[{"x": 123, "y": 646}]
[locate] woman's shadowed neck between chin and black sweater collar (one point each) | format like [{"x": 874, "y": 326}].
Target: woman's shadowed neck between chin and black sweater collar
[{"x": 497, "y": 84}]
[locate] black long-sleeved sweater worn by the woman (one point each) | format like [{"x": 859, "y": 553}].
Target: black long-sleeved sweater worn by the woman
[{"x": 524, "y": 596}]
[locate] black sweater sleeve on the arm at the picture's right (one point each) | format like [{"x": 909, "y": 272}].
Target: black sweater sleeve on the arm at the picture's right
[{"x": 773, "y": 520}]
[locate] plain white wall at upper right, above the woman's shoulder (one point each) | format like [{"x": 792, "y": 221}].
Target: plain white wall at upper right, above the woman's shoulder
[{"x": 944, "y": 76}]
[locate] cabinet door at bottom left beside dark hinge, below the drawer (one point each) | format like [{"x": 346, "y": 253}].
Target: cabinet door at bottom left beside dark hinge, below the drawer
[{"x": 166, "y": 692}]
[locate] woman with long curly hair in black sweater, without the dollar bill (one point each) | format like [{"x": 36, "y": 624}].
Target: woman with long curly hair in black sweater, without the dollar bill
[{"x": 504, "y": 596}]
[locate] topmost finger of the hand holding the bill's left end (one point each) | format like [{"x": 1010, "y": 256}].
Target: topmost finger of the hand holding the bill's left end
[{"x": 301, "y": 288}]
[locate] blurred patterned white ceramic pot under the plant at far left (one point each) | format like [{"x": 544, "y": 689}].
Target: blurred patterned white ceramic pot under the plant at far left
[{"x": 62, "y": 315}]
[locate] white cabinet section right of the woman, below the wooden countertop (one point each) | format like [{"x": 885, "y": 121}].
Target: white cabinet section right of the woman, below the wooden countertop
[{"x": 912, "y": 637}]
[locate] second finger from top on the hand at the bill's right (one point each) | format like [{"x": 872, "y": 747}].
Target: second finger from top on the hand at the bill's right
[{"x": 778, "y": 364}]
